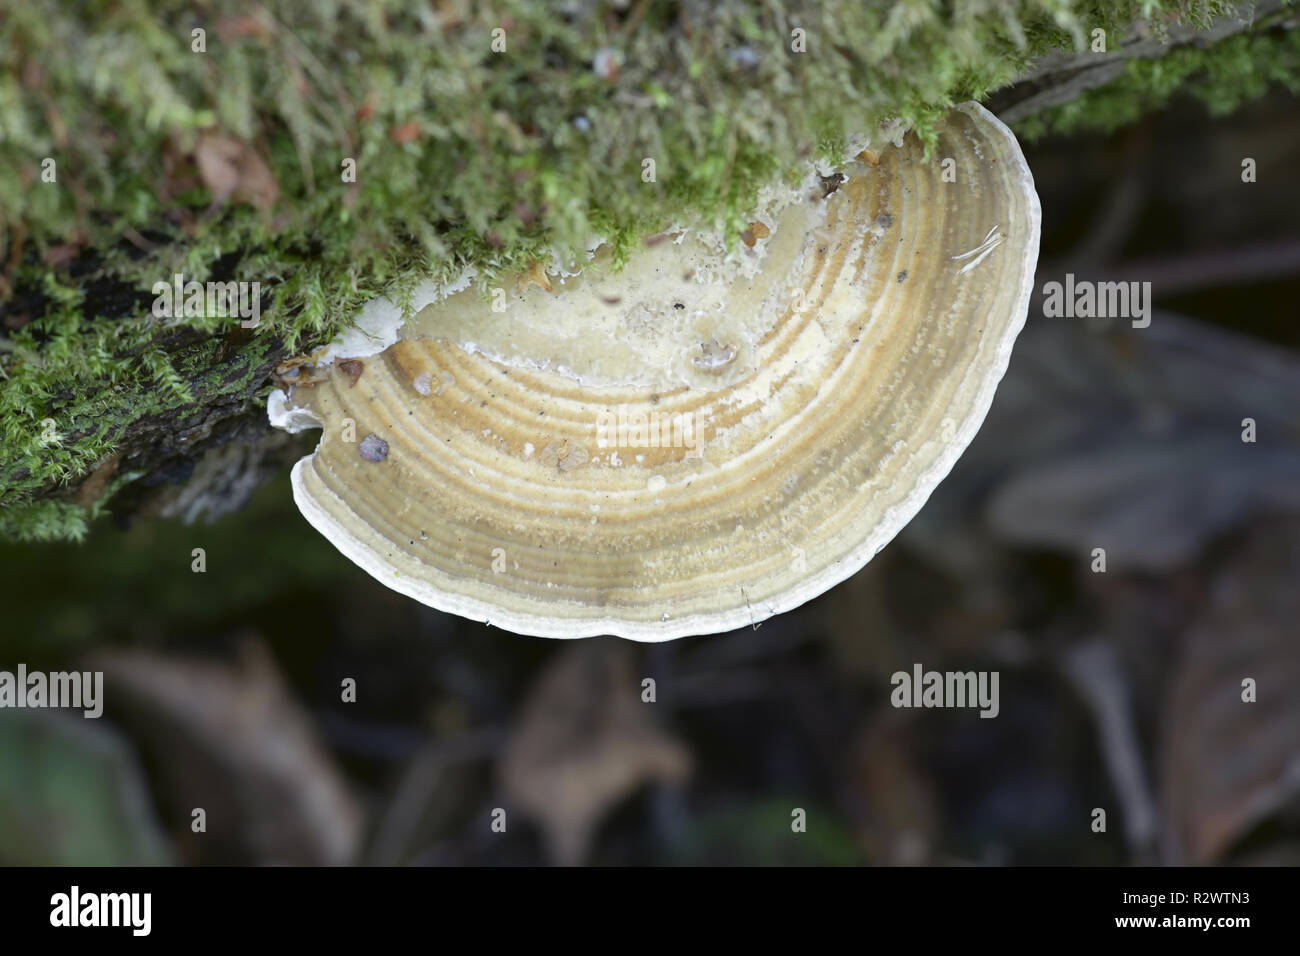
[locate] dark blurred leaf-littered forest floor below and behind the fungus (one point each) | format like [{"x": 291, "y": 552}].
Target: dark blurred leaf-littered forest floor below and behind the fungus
[{"x": 1120, "y": 690}]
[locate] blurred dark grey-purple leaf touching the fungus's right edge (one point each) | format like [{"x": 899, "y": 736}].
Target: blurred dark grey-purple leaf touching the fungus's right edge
[{"x": 1123, "y": 447}]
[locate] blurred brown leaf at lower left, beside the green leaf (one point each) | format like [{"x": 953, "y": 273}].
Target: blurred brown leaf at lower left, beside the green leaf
[{"x": 233, "y": 742}]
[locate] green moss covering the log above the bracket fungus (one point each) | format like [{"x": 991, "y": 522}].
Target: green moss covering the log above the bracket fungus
[{"x": 463, "y": 157}]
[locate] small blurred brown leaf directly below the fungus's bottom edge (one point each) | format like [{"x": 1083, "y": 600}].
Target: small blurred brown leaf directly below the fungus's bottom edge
[{"x": 584, "y": 743}]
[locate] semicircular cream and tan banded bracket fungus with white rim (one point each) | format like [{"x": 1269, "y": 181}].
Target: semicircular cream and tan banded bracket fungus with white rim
[{"x": 700, "y": 440}]
